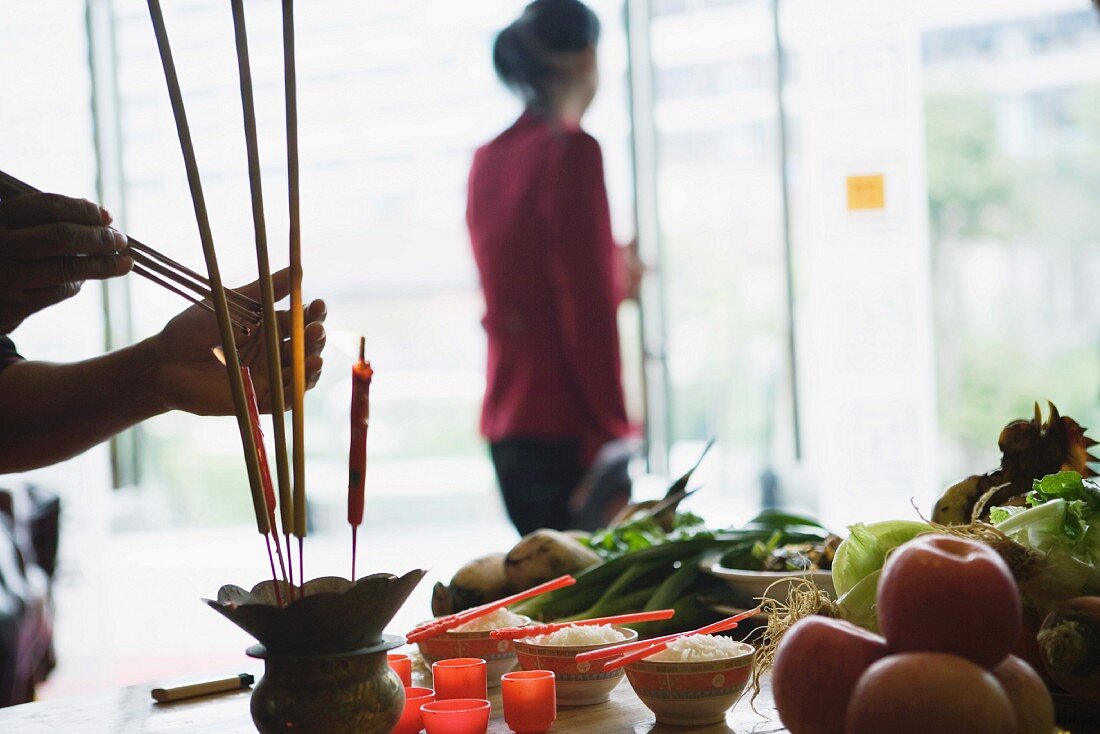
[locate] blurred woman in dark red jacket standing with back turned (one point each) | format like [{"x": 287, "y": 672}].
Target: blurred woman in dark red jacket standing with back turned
[{"x": 551, "y": 271}]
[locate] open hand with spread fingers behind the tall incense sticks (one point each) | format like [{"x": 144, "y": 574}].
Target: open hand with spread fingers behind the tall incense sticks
[{"x": 191, "y": 378}]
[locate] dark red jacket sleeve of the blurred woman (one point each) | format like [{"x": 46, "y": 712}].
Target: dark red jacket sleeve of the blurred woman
[{"x": 582, "y": 266}]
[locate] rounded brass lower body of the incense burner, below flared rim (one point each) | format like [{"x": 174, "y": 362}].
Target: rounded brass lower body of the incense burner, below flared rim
[{"x": 328, "y": 694}]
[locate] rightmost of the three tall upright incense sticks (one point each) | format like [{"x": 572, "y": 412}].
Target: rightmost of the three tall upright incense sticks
[{"x": 298, "y": 313}]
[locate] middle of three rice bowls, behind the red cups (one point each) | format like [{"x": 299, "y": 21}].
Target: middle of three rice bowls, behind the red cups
[{"x": 578, "y": 684}]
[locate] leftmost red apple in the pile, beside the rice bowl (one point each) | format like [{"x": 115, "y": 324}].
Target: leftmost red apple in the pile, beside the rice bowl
[{"x": 816, "y": 670}]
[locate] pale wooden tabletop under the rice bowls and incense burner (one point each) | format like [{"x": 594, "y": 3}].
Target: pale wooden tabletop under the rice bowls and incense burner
[{"x": 133, "y": 710}]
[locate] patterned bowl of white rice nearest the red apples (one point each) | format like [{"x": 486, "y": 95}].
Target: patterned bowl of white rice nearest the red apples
[{"x": 695, "y": 682}]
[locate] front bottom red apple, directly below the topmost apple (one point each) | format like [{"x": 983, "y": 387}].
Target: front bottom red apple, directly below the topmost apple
[{"x": 929, "y": 693}]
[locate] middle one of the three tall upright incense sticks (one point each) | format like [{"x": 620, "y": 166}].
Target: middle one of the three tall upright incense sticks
[{"x": 267, "y": 290}]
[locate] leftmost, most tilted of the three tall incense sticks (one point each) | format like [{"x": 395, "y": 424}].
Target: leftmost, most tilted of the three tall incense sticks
[{"x": 218, "y": 291}]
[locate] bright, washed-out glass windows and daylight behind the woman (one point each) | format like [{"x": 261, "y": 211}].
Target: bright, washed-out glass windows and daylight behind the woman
[{"x": 920, "y": 330}]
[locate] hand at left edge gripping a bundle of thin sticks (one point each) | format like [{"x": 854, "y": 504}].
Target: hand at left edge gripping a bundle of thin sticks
[{"x": 50, "y": 245}]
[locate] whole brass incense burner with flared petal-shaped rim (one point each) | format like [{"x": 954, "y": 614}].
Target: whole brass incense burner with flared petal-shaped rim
[{"x": 324, "y": 653}]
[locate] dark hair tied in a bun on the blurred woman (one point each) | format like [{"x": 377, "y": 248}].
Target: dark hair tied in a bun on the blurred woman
[{"x": 524, "y": 52}]
